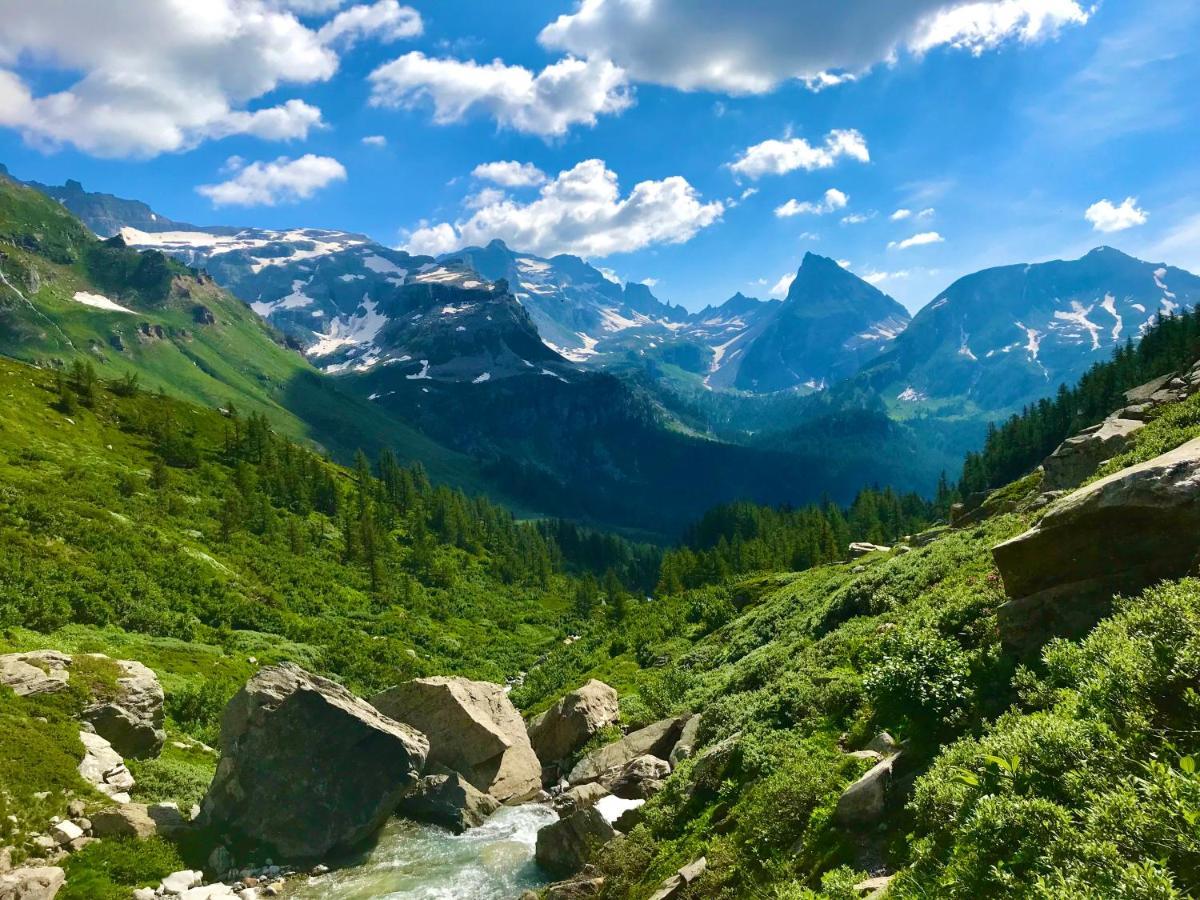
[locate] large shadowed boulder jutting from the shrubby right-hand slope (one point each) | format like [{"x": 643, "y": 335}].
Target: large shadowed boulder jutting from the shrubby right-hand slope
[{"x": 1117, "y": 536}]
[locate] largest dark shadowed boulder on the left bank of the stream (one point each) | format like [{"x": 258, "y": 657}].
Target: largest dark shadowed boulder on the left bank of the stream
[{"x": 307, "y": 766}]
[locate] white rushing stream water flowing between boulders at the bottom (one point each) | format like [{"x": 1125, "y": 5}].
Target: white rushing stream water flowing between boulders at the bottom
[{"x": 416, "y": 862}]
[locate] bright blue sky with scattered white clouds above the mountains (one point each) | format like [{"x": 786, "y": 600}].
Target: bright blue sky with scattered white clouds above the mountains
[{"x": 998, "y": 125}]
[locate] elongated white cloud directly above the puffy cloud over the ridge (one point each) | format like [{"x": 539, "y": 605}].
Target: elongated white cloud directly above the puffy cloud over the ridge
[{"x": 568, "y": 93}]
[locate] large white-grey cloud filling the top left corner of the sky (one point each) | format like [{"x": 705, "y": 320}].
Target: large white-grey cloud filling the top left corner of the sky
[{"x": 147, "y": 77}]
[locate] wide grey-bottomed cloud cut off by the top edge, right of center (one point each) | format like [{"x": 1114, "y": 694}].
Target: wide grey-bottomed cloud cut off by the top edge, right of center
[{"x": 703, "y": 45}]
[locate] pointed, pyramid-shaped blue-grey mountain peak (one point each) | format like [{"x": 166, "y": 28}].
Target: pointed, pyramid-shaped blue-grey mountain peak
[{"x": 830, "y": 326}]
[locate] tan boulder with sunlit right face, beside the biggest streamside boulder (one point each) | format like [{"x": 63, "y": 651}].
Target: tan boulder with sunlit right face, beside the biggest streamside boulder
[{"x": 473, "y": 729}]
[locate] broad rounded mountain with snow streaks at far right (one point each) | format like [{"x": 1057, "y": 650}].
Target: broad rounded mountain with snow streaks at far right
[{"x": 1003, "y": 338}]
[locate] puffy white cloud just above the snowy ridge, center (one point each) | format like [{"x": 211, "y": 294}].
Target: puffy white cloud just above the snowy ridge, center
[{"x": 583, "y": 212}]
